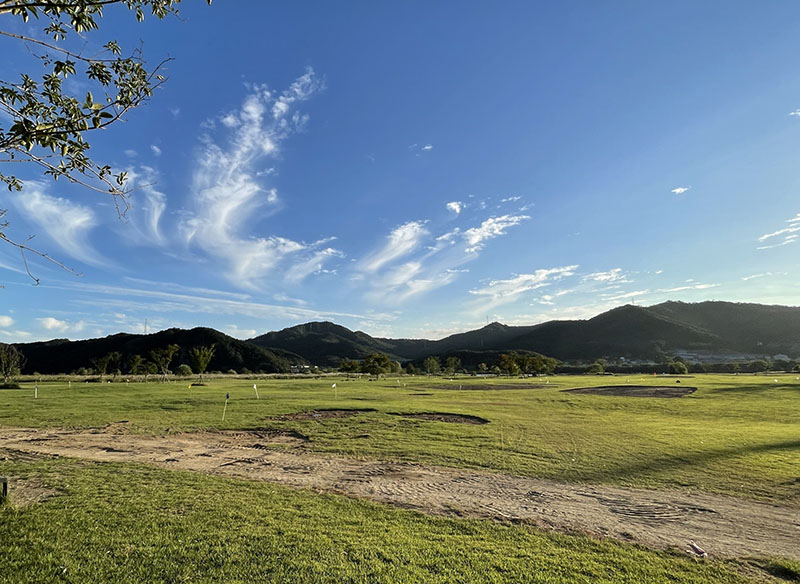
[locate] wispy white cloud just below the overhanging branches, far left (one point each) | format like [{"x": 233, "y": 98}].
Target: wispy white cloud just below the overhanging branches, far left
[{"x": 64, "y": 221}]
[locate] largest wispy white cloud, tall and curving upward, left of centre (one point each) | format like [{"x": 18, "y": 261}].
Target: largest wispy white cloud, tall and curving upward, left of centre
[{"x": 227, "y": 194}]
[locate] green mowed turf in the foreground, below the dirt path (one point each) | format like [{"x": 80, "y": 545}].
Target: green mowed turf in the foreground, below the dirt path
[{"x": 137, "y": 524}]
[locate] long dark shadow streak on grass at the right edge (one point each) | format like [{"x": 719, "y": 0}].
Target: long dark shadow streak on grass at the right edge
[{"x": 686, "y": 458}]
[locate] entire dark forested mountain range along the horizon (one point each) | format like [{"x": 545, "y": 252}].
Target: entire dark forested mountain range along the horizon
[{"x": 705, "y": 331}]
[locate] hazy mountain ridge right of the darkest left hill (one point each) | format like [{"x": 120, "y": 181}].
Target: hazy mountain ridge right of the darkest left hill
[{"x": 704, "y": 329}]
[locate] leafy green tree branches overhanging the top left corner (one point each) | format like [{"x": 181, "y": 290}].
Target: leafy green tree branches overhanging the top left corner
[{"x": 44, "y": 123}]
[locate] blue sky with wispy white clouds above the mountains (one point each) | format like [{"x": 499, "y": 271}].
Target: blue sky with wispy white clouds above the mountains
[{"x": 417, "y": 169}]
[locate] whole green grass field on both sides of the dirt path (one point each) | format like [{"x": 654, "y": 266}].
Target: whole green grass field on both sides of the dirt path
[{"x": 736, "y": 434}]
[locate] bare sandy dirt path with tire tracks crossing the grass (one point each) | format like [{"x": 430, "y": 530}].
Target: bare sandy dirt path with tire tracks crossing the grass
[{"x": 724, "y": 526}]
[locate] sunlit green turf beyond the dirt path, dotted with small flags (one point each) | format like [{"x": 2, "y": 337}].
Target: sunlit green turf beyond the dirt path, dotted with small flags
[{"x": 736, "y": 434}]
